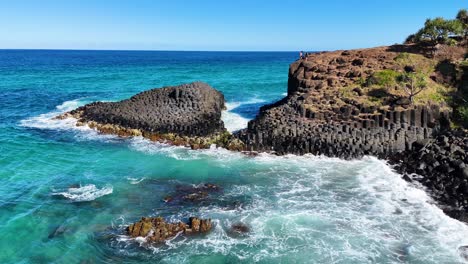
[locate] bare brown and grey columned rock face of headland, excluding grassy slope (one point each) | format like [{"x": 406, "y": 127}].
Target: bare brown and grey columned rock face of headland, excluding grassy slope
[{"x": 316, "y": 117}]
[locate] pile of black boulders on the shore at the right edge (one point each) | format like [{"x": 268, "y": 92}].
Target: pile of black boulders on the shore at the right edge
[{"x": 442, "y": 166}]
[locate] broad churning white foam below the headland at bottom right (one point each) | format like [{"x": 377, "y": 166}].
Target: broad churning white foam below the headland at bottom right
[{"x": 326, "y": 211}]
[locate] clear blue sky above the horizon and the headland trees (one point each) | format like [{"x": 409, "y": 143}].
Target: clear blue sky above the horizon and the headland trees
[{"x": 214, "y": 25}]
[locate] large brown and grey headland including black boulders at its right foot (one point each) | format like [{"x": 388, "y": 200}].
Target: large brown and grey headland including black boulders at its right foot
[{"x": 349, "y": 103}]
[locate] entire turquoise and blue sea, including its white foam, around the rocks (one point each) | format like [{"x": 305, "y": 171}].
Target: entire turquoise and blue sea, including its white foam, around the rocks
[{"x": 299, "y": 209}]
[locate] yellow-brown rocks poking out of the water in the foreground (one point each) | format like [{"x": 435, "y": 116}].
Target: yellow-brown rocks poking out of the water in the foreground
[{"x": 157, "y": 230}]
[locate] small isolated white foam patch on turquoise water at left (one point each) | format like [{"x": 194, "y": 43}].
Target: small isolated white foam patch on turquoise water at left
[{"x": 85, "y": 193}]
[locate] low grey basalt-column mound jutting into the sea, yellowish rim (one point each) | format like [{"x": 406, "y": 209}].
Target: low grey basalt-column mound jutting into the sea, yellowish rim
[{"x": 188, "y": 114}]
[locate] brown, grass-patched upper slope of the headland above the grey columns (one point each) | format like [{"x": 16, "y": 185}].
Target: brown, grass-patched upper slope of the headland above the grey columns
[{"x": 396, "y": 76}]
